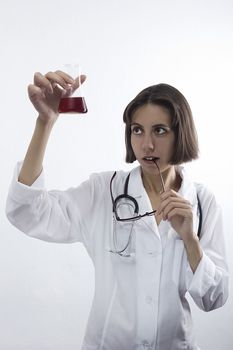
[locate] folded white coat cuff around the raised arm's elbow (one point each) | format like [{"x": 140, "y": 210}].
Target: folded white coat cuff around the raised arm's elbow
[{"x": 23, "y": 193}]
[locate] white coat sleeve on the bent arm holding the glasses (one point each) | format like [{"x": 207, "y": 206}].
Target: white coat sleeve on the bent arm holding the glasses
[{"x": 208, "y": 286}]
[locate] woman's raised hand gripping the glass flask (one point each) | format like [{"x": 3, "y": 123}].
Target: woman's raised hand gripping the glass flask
[{"x": 47, "y": 91}]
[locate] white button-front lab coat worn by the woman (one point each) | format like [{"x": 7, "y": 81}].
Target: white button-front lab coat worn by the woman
[{"x": 140, "y": 301}]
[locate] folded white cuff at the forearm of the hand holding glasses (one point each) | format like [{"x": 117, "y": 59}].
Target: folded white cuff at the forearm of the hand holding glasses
[{"x": 199, "y": 282}]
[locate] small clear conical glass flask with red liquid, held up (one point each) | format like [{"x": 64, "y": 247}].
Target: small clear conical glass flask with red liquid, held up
[{"x": 73, "y": 101}]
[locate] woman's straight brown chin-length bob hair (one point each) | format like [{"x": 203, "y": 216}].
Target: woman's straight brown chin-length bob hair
[{"x": 168, "y": 97}]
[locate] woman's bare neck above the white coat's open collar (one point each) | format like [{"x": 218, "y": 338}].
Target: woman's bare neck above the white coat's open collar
[{"x": 152, "y": 182}]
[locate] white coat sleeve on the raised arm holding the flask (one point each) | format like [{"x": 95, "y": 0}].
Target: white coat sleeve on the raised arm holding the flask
[{"x": 53, "y": 216}]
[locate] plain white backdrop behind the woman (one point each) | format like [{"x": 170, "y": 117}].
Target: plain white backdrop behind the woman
[{"x": 123, "y": 46}]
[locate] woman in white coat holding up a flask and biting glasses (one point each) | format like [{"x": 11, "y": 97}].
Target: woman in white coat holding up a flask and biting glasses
[{"x": 152, "y": 233}]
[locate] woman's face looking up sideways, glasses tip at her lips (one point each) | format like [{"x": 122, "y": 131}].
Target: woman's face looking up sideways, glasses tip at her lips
[{"x": 152, "y": 136}]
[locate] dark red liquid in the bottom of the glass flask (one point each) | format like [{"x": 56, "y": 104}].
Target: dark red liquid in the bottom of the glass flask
[{"x": 72, "y": 105}]
